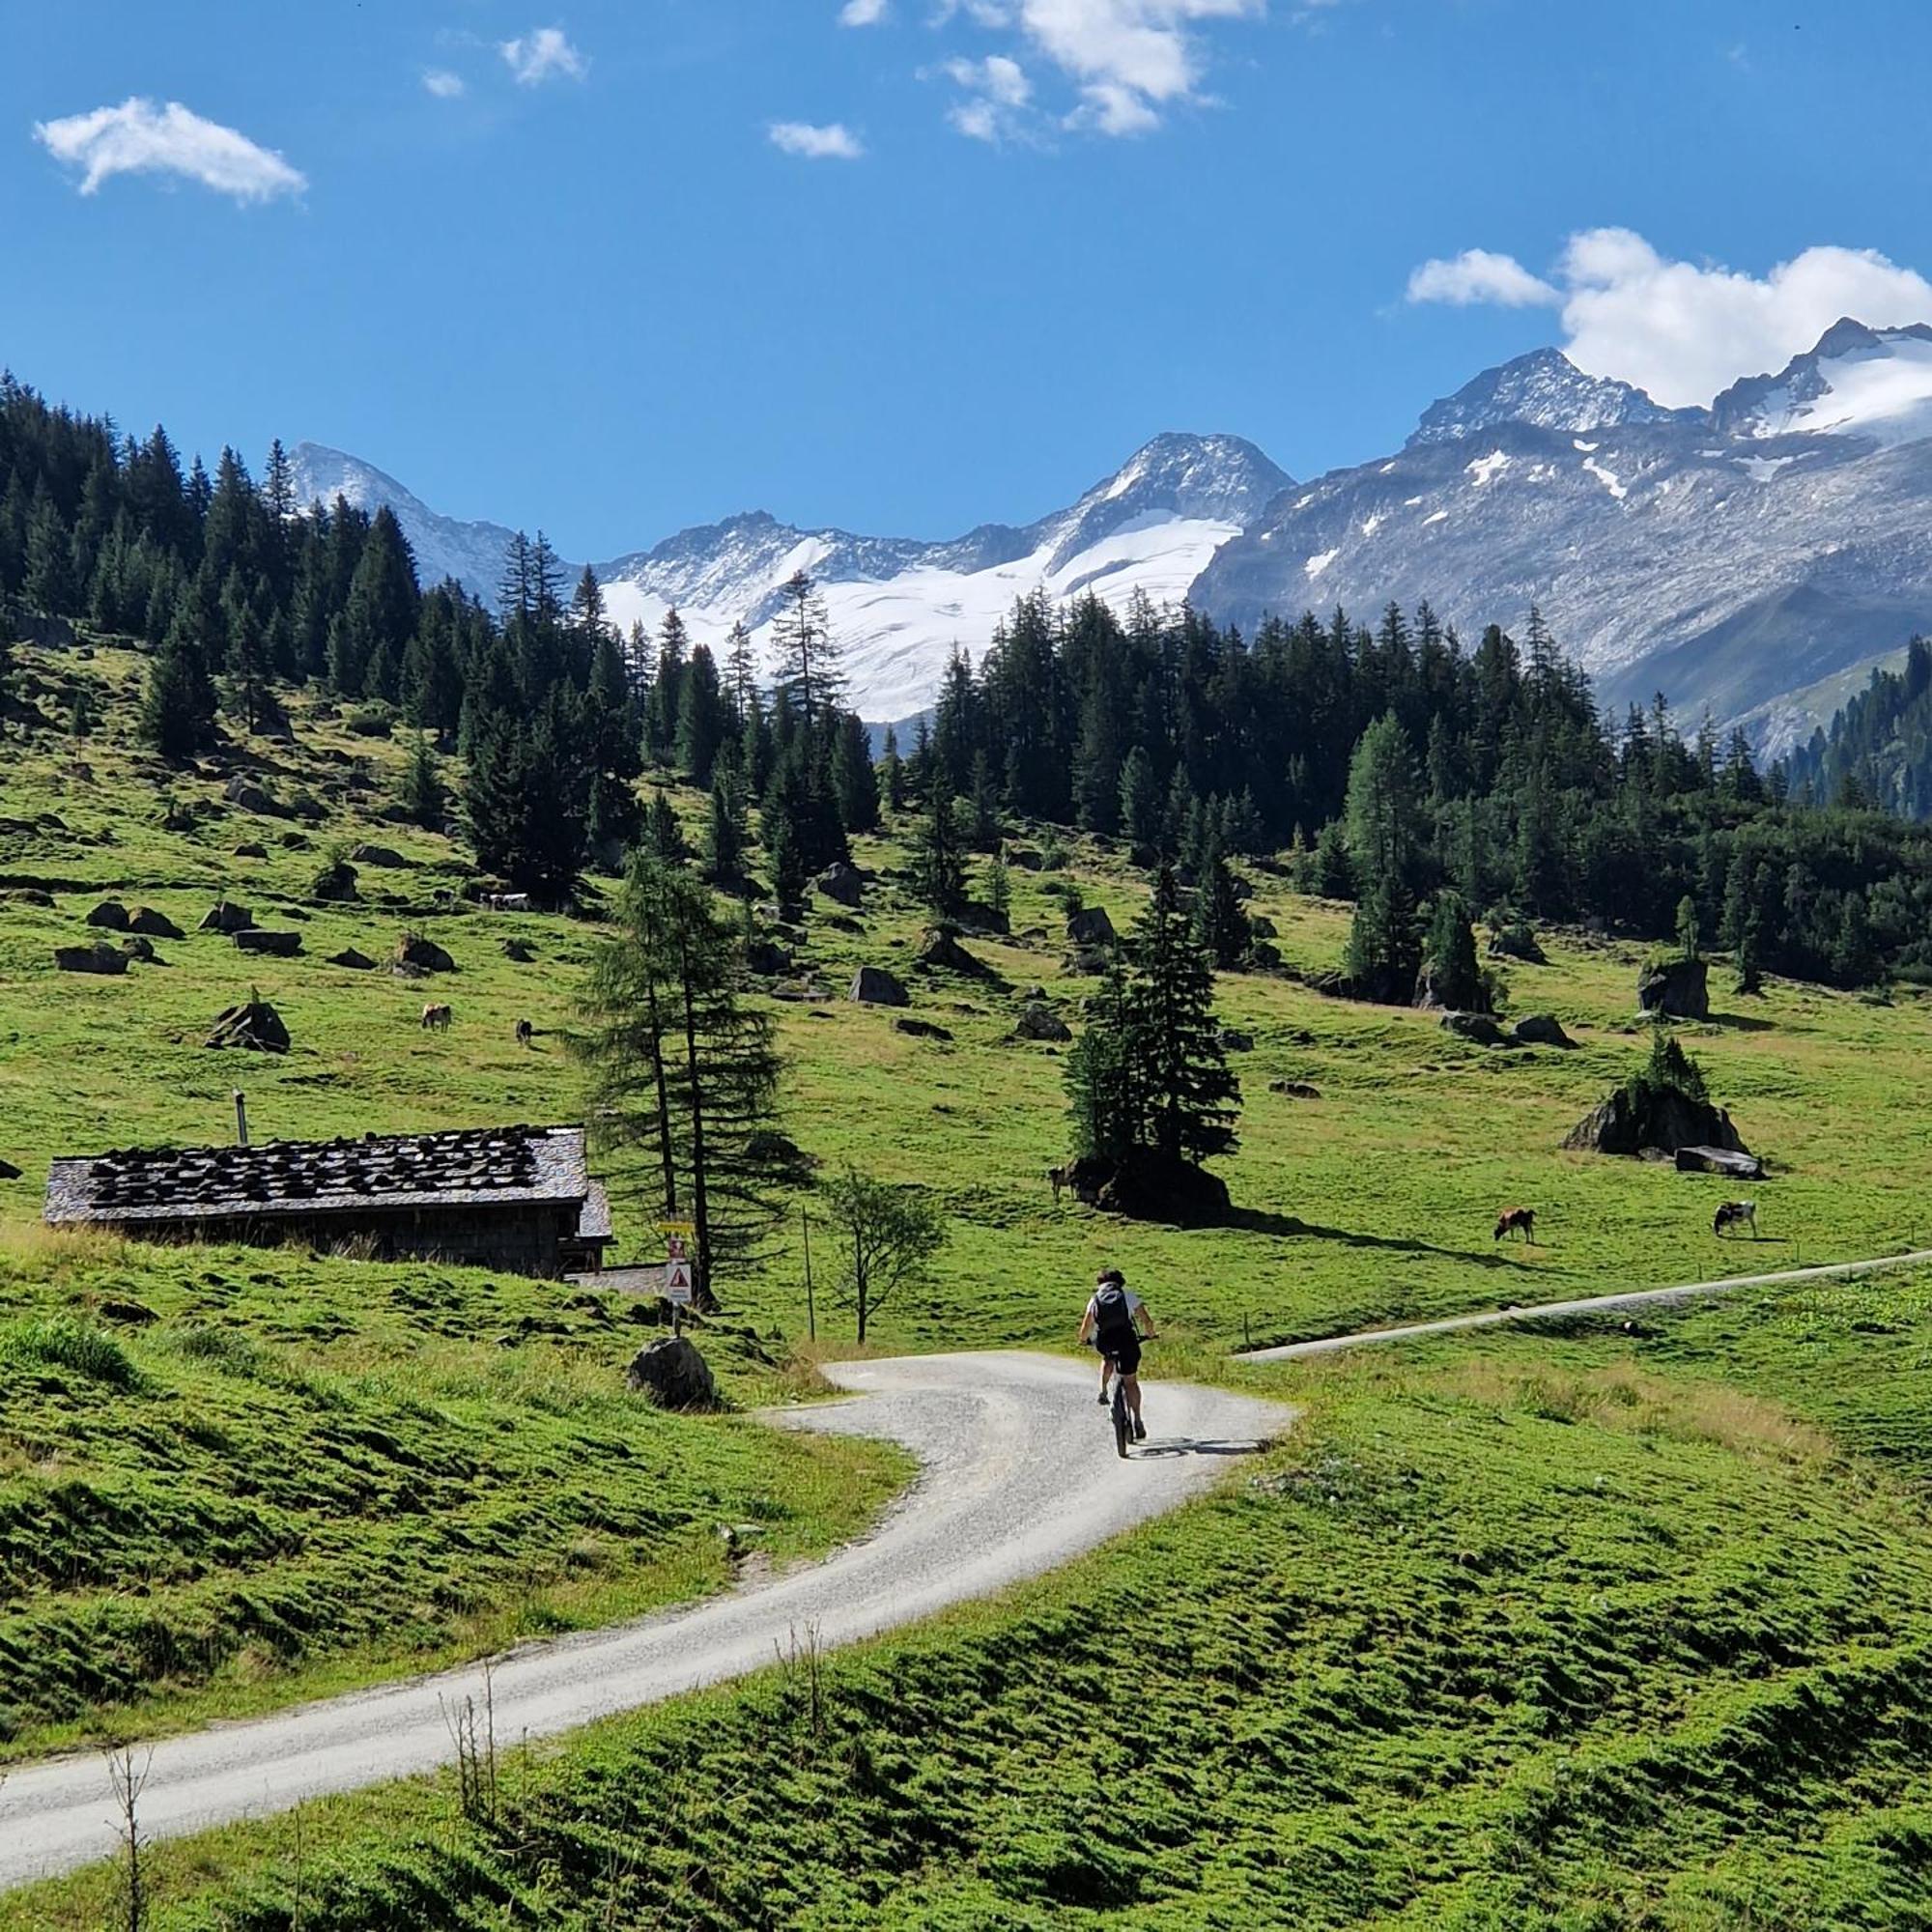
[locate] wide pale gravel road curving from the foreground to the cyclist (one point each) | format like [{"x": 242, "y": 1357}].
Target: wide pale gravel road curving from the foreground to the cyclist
[{"x": 1019, "y": 1475}]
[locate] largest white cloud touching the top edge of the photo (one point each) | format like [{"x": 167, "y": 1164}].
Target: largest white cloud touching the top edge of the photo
[{"x": 1131, "y": 59}]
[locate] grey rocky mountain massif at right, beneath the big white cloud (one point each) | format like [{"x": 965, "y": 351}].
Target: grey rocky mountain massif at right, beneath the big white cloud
[{"x": 1728, "y": 557}]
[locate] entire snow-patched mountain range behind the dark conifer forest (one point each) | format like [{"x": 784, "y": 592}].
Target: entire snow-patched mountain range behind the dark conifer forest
[{"x": 1747, "y": 559}]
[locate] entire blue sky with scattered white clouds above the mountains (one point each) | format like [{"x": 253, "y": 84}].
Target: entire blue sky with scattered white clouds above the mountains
[{"x": 623, "y": 268}]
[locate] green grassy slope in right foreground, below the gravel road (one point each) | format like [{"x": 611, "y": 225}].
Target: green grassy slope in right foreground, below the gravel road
[{"x": 1535, "y": 1632}]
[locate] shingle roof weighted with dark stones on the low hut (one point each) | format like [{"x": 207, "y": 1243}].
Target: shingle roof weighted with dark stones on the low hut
[{"x": 496, "y": 1166}]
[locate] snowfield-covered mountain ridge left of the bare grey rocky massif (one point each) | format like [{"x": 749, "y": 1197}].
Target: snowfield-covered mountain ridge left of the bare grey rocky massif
[{"x": 897, "y": 606}]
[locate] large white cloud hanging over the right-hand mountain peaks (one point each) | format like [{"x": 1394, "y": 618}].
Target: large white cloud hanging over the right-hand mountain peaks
[{"x": 1680, "y": 329}]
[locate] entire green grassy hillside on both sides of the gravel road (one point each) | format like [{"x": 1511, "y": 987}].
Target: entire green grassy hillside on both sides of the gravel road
[{"x": 1543, "y": 1630}]
